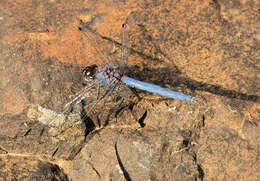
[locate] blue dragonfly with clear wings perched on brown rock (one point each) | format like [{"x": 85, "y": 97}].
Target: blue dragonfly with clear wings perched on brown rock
[{"x": 113, "y": 75}]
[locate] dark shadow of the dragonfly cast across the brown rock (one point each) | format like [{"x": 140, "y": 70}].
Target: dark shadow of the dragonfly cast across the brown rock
[{"x": 171, "y": 75}]
